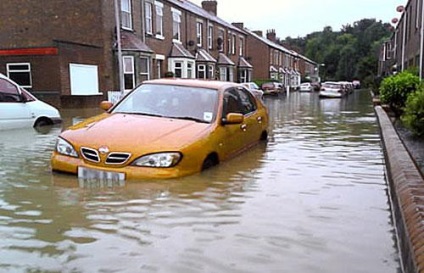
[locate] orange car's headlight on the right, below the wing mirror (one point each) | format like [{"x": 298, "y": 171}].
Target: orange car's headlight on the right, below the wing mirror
[{"x": 159, "y": 160}]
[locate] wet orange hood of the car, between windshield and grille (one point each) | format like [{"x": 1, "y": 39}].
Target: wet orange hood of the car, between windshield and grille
[{"x": 127, "y": 132}]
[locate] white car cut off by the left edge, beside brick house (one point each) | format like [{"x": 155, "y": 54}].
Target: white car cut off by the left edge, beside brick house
[{"x": 20, "y": 109}]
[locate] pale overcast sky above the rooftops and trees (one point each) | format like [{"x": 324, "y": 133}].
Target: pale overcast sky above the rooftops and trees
[{"x": 297, "y": 18}]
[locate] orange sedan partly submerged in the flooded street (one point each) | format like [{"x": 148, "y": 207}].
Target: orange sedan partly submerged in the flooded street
[{"x": 163, "y": 129}]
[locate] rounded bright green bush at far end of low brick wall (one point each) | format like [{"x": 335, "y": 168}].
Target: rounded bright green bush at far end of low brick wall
[{"x": 394, "y": 90}]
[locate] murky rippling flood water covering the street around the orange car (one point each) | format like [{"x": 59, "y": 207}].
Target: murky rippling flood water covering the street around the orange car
[{"x": 312, "y": 199}]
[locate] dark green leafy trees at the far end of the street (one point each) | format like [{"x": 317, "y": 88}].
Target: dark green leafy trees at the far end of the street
[{"x": 351, "y": 53}]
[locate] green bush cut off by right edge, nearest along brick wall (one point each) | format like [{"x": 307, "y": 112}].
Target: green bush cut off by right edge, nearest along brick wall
[{"x": 413, "y": 115}]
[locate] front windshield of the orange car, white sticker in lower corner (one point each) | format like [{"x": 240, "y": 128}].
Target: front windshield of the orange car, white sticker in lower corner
[{"x": 171, "y": 101}]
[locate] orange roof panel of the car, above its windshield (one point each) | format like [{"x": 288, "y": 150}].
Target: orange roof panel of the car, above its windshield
[{"x": 211, "y": 84}]
